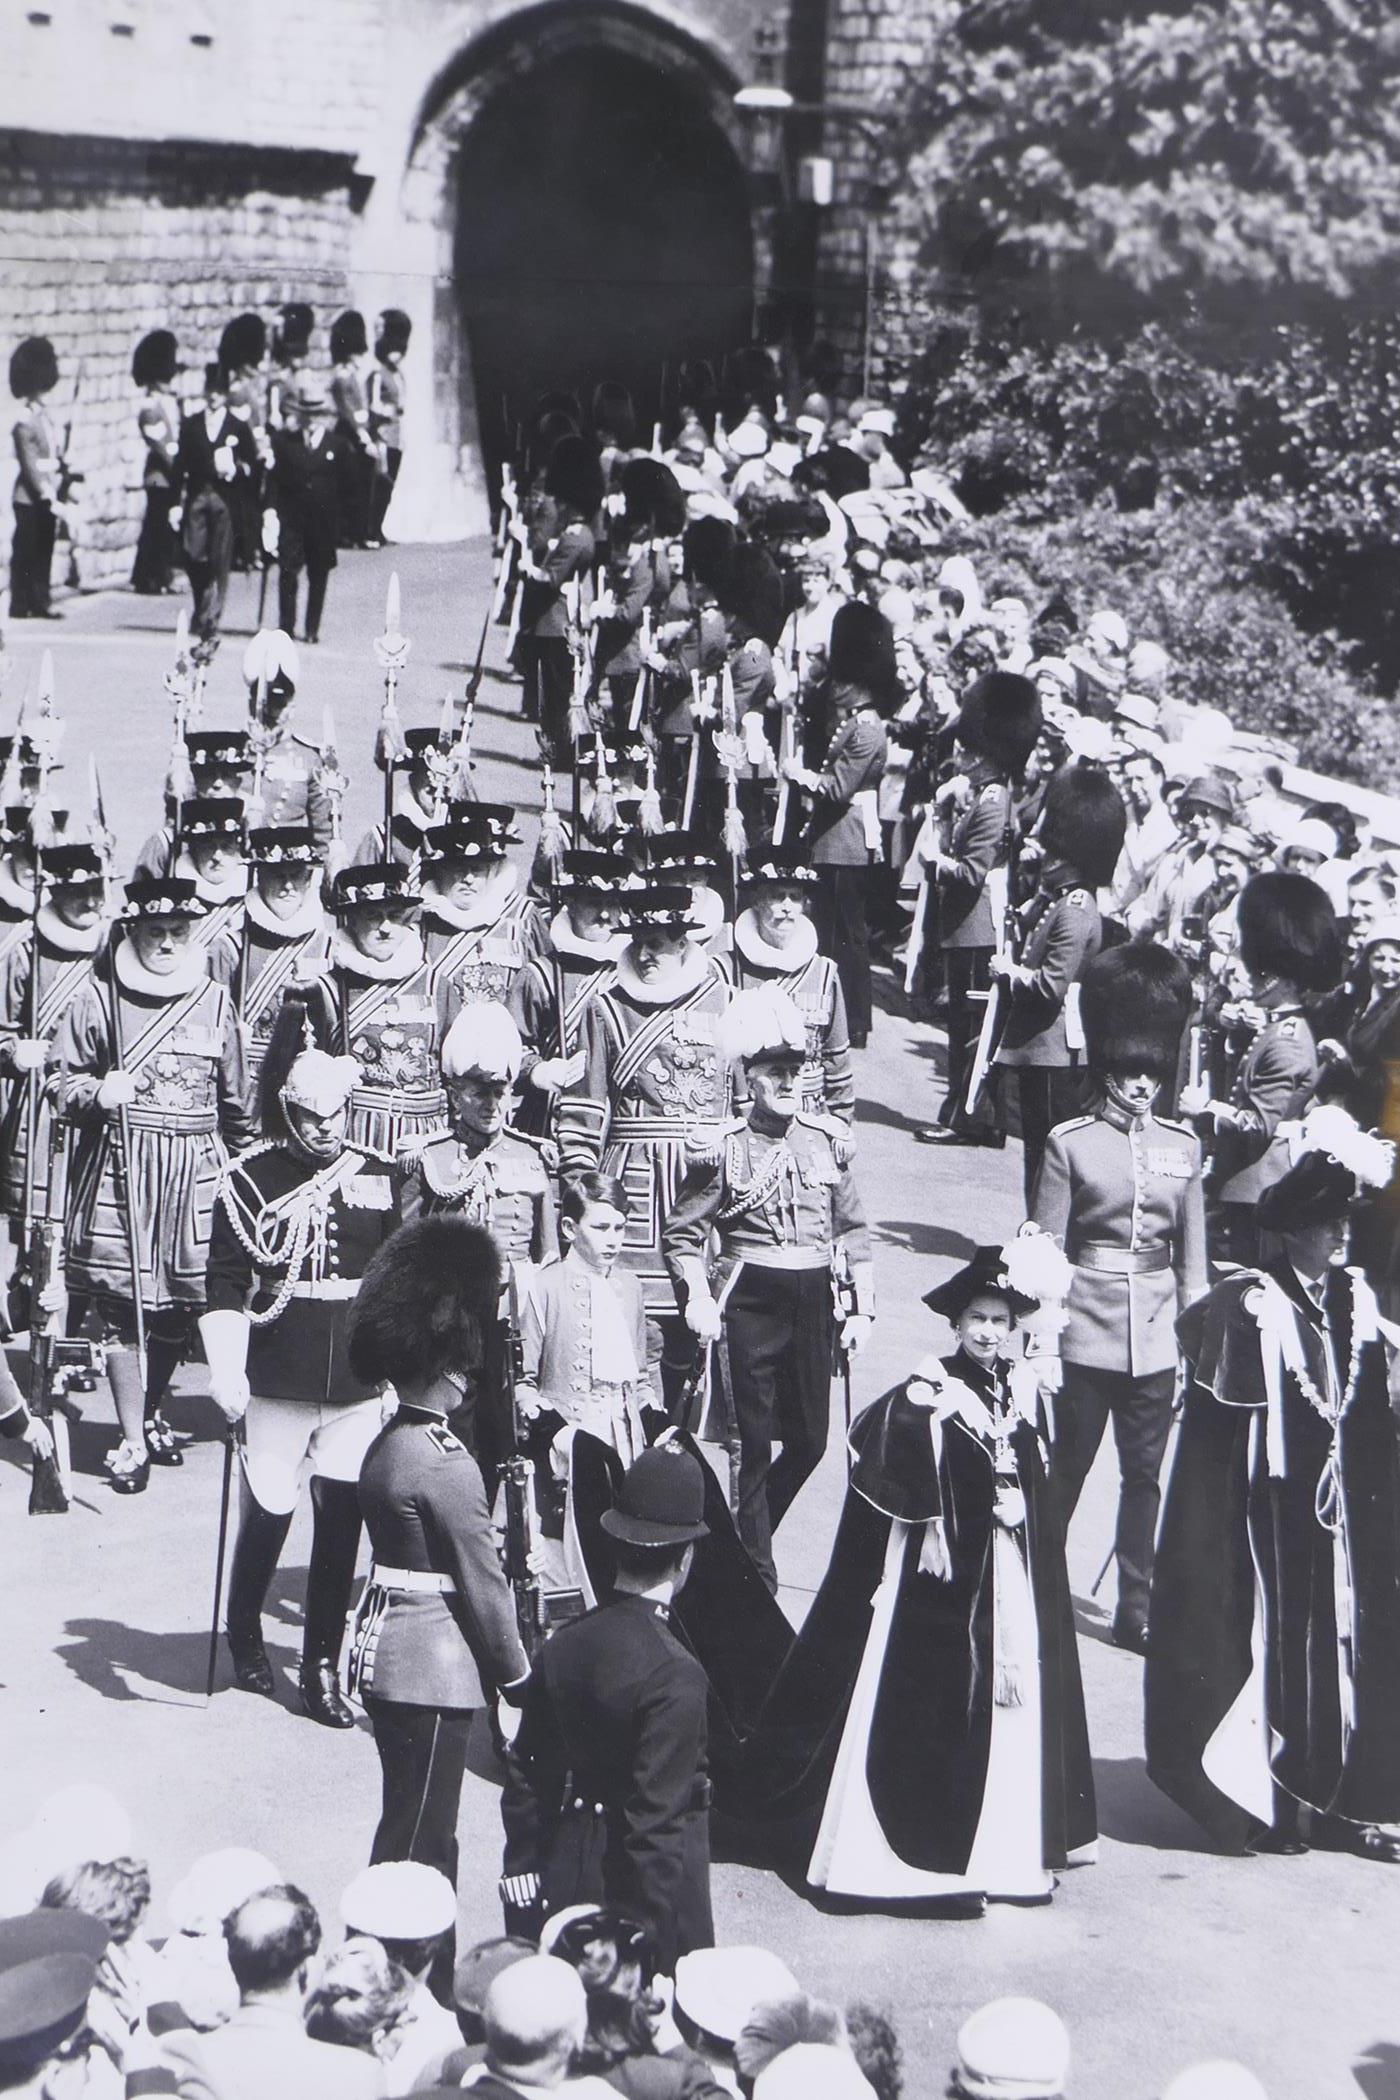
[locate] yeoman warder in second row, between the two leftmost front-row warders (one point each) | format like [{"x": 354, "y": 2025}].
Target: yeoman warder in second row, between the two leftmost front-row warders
[{"x": 284, "y": 936}]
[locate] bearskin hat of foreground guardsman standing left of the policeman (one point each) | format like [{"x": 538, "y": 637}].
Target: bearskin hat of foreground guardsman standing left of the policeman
[{"x": 425, "y": 1303}]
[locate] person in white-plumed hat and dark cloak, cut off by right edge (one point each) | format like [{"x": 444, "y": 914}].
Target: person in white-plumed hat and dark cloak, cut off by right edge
[{"x": 1273, "y": 1679}]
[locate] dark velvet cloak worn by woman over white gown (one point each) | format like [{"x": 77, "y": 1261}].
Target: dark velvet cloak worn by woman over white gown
[{"x": 927, "y": 1759}]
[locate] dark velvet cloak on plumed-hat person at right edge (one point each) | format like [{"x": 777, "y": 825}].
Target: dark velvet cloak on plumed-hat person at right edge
[{"x": 1225, "y": 1511}]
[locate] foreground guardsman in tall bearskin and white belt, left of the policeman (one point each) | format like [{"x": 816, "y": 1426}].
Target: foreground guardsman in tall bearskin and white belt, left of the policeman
[{"x": 438, "y": 1626}]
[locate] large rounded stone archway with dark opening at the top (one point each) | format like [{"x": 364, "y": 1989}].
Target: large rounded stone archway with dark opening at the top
[{"x": 578, "y": 209}]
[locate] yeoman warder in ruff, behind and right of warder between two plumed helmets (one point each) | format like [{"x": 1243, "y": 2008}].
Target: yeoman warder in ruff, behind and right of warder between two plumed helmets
[{"x": 475, "y": 915}]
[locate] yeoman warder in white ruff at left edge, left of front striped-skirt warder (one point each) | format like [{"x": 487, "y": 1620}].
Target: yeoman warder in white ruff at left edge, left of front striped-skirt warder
[{"x": 39, "y": 982}]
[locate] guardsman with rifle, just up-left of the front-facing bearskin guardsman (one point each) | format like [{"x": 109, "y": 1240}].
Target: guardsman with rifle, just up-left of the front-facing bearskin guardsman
[{"x": 1042, "y": 1043}]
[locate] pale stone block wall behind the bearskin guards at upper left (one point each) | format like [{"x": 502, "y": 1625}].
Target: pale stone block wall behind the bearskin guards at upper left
[{"x": 104, "y": 240}]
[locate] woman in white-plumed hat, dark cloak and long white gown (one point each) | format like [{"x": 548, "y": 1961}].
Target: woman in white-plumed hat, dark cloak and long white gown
[{"x": 929, "y": 1721}]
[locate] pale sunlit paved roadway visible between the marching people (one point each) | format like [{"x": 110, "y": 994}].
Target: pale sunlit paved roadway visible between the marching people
[{"x": 1158, "y": 1956}]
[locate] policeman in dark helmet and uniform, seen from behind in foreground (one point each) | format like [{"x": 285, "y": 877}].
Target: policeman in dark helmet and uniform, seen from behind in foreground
[{"x": 608, "y": 1792}]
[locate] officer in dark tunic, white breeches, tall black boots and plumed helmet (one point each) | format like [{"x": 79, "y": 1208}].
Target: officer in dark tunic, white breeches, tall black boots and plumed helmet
[{"x": 295, "y": 1227}]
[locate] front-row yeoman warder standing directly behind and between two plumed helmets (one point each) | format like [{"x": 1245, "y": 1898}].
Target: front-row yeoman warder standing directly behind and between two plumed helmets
[{"x": 377, "y": 1005}]
